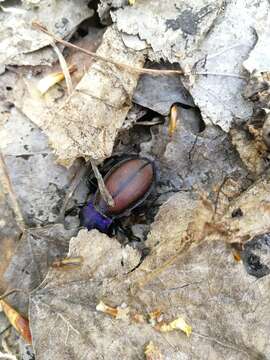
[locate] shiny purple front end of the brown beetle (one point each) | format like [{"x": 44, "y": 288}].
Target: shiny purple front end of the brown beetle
[{"x": 92, "y": 219}]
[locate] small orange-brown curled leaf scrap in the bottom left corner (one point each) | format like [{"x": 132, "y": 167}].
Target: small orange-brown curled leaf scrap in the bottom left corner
[{"x": 20, "y": 323}]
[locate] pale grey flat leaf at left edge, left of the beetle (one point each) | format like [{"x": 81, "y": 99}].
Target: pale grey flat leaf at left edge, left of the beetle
[{"x": 38, "y": 182}]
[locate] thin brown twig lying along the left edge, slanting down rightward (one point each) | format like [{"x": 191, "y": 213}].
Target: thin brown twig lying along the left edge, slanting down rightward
[{"x": 6, "y": 182}]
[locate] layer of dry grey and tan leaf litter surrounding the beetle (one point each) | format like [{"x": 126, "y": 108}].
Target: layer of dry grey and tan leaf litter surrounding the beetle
[{"x": 85, "y": 292}]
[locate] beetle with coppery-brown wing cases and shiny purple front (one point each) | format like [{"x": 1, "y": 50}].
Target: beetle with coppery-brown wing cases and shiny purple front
[{"x": 129, "y": 182}]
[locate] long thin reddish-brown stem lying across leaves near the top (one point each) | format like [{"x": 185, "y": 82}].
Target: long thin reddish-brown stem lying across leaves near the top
[{"x": 130, "y": 68}]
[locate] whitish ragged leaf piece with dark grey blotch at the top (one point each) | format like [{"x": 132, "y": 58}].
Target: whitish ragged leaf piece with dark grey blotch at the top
[{"x": 172, "y": 29}]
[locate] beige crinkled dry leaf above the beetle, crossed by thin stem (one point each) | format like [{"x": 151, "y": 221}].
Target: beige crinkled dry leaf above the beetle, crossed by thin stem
[{"x": 86, "y": 124}]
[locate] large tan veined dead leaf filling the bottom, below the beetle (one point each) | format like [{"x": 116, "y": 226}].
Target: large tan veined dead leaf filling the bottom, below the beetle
[{"x": 198, "y": 282}]
